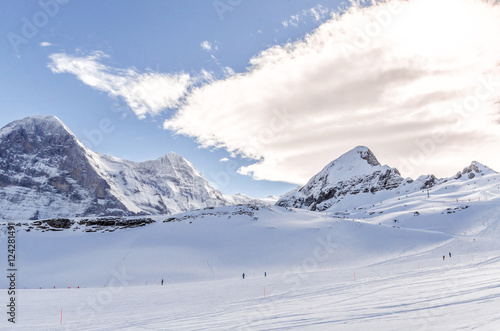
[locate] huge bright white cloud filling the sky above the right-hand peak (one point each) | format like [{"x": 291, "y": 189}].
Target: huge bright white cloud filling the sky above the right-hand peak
[{"x": 390, "y": 76}]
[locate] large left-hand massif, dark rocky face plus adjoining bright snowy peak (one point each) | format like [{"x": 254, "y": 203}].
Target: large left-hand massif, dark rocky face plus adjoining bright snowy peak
[{"x": 46, "y": 172}]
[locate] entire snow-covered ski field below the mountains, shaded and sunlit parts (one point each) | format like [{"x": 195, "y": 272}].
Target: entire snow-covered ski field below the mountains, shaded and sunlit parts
[{"x": 379, "y": 268}]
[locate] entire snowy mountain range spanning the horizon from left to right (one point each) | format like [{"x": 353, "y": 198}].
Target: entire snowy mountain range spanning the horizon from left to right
[{"x": 46, "y": 172}]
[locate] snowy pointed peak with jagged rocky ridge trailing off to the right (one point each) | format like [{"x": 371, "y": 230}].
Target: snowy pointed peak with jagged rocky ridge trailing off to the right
[{"x": 357, "y": 178}]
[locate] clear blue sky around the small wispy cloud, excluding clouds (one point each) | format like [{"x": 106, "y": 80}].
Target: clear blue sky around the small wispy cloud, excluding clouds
[{"x": 161, "y": 36}]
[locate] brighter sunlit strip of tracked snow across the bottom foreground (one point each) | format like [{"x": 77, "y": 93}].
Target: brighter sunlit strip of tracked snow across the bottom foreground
[{"x": 453, "y": 295}]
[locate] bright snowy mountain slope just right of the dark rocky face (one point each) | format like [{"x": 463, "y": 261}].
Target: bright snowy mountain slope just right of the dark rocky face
[{"x": 167, "y": 185}]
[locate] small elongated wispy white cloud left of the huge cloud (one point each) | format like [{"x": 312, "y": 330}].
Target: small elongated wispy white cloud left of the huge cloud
[{"x": 145, "y": 93}]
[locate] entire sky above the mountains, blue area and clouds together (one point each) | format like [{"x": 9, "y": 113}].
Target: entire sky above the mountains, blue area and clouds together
[{"x": 261, "y": 95}]
